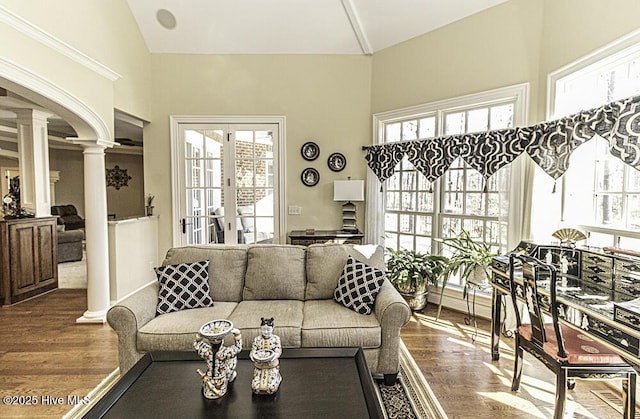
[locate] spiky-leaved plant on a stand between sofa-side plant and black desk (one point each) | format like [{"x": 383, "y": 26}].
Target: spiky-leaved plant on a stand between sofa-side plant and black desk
[{"x": 471, "y": 259}]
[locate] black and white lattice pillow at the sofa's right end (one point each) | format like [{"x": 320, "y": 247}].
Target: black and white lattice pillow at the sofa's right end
[{"x": 358, "y": 286}]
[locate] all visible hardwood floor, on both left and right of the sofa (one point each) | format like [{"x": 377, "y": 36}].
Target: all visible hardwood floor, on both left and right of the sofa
[{"x": 44, "y": 353}]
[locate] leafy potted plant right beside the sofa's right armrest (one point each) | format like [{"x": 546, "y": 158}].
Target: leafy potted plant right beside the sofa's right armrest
[{"x": 411, "y": 273}]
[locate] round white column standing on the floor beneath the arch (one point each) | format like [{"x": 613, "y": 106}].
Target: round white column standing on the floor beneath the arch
[{"x": 97, "y": 245}]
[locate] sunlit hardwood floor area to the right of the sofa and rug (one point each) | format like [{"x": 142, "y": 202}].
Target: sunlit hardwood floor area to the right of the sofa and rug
[{"x": 469, "y": 385}]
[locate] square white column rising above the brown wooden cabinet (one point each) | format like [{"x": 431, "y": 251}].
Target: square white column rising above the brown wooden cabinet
[{"x": 33, "y": 155}]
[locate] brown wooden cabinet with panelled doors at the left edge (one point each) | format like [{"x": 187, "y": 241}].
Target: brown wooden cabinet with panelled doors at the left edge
[{"x": 29, "y": 258}]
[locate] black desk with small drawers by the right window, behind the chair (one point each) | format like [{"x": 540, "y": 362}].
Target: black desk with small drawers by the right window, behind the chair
[{"x": 587, "y": 294}]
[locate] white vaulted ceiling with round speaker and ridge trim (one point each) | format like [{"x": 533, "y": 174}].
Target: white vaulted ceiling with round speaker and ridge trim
[{"x": 292, "y": 26}]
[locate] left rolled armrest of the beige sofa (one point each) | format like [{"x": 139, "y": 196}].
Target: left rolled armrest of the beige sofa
[{"x": 127, "y": 317}]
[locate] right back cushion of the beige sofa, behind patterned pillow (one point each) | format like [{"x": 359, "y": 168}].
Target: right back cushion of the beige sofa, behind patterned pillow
[{"x": 325, "y": 263}]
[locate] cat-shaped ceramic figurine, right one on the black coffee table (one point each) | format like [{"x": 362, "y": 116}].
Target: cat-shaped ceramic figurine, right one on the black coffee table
[{"x": 265, "y": 351}]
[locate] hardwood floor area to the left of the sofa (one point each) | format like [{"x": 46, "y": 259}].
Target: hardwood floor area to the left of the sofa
[{"x": 45, "y": 357}]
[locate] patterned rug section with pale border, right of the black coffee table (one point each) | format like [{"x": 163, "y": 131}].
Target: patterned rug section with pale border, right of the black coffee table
[{"x": 411, "y": 396}]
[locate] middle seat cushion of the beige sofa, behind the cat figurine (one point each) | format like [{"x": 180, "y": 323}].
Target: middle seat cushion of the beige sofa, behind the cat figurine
[{"x": 287, "y": 315}]
